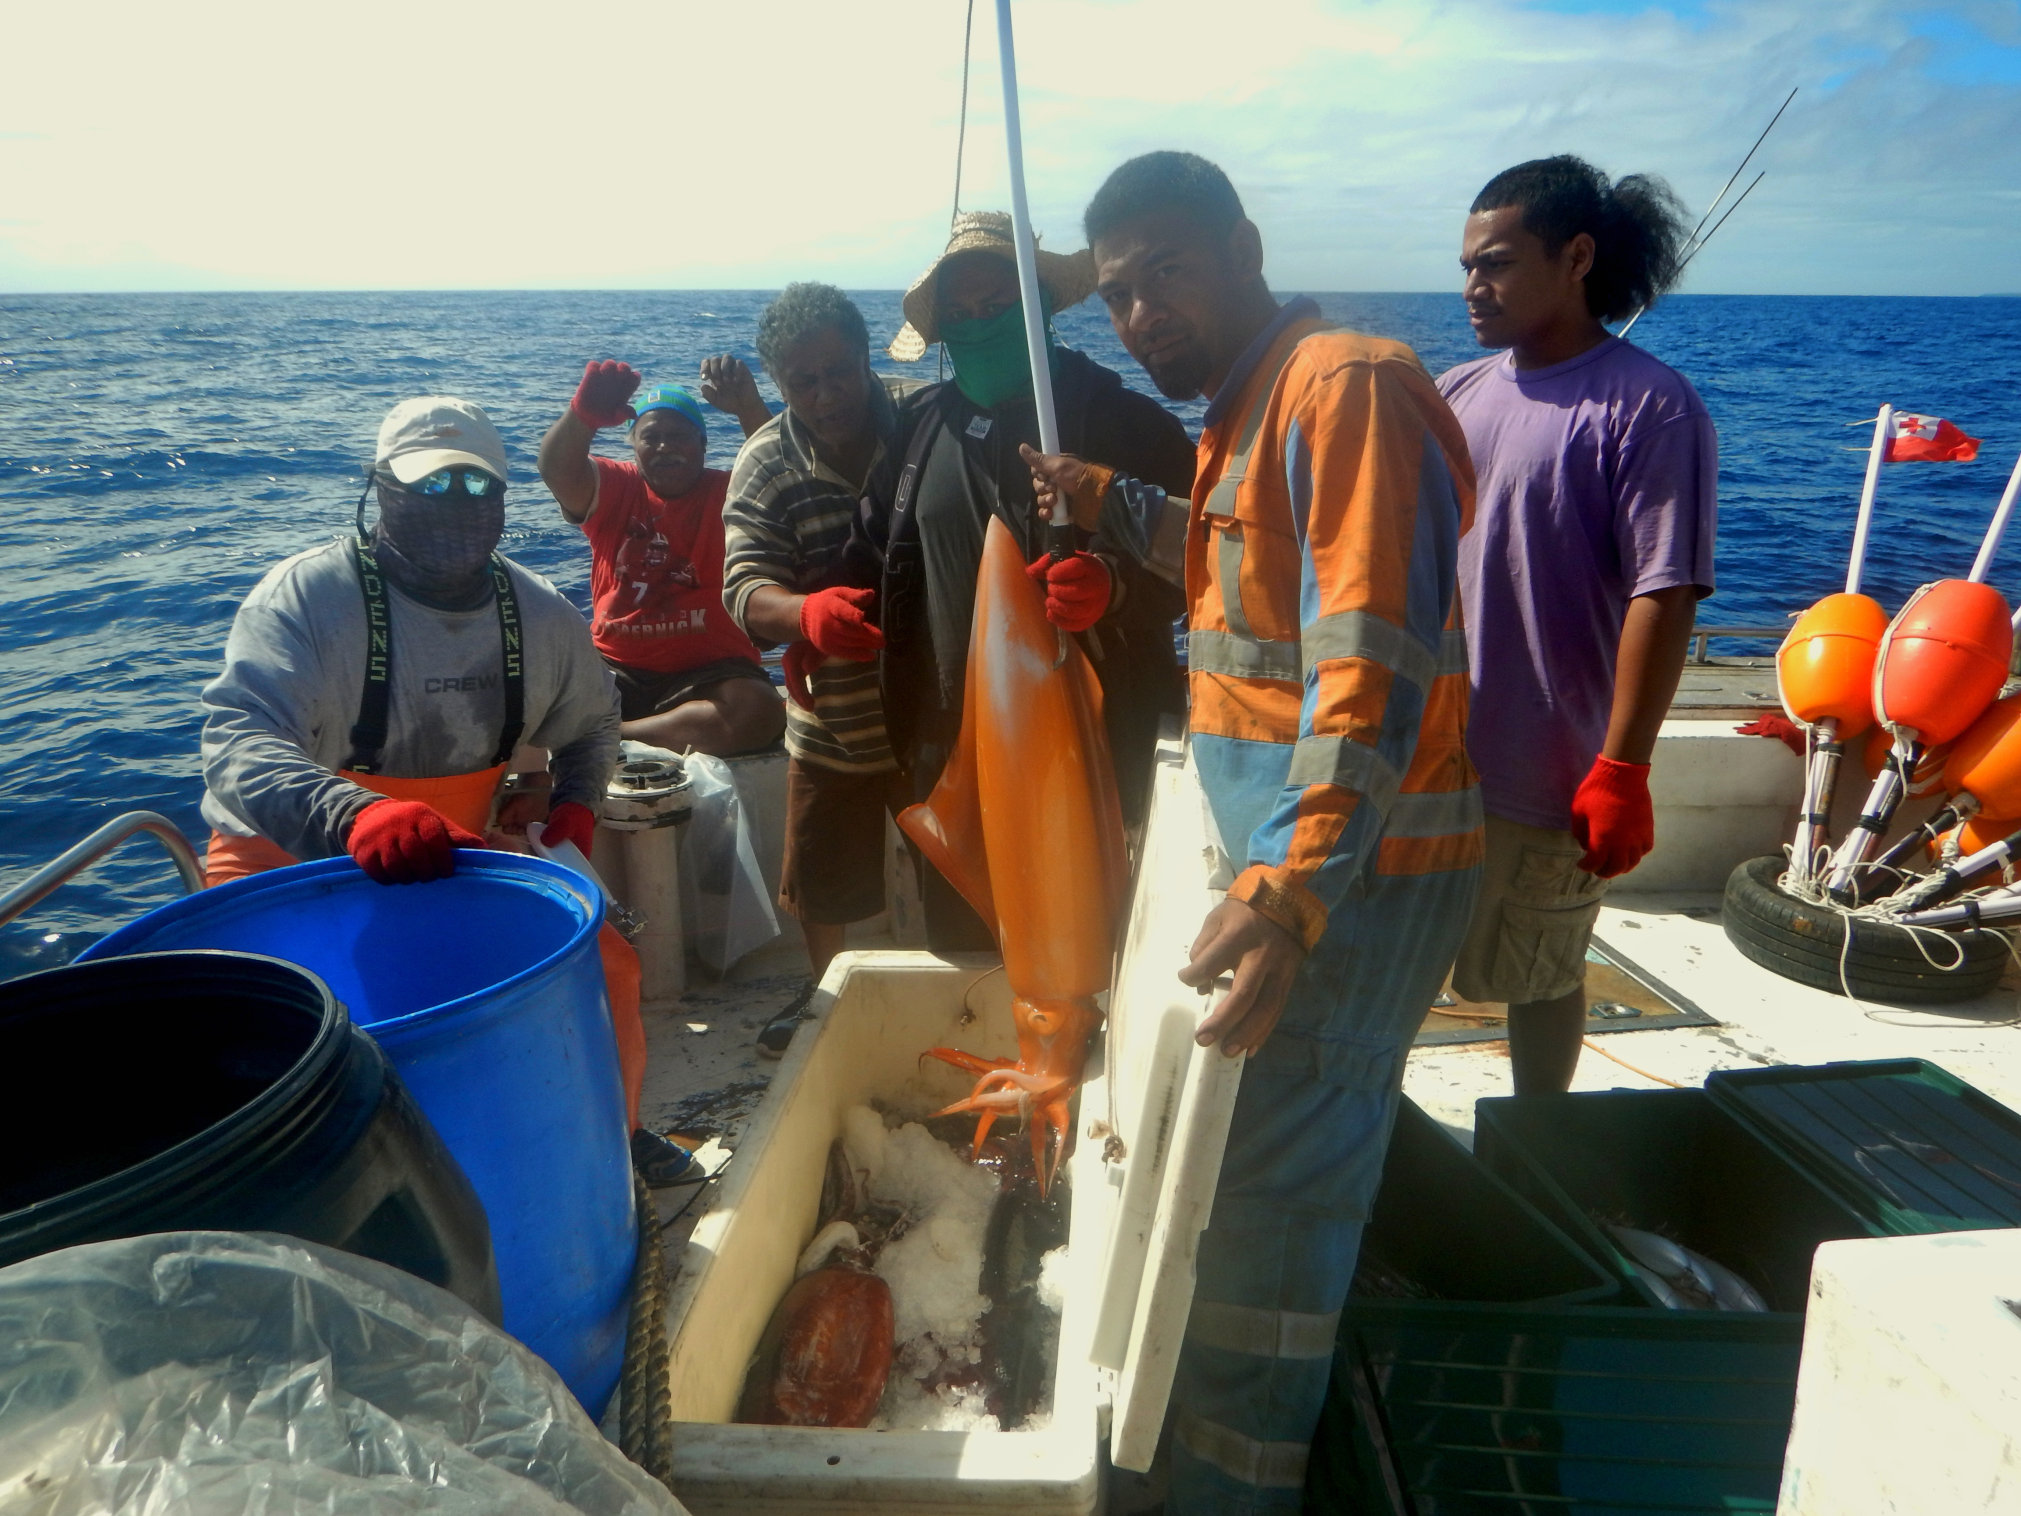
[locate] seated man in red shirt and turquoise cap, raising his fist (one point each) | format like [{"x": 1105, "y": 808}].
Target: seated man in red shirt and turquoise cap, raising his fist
[{"x": 686, "y": 672}]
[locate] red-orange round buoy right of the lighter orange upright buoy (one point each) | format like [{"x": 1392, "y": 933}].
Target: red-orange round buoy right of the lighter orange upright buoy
[{"x": 1943, "y": 660}]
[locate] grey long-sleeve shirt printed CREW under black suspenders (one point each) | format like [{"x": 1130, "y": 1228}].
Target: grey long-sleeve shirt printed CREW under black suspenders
[{"x": 280, "y": 719}]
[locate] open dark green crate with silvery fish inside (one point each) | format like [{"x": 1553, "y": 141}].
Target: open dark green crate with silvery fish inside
[{"x": 1674, "y": 1163}]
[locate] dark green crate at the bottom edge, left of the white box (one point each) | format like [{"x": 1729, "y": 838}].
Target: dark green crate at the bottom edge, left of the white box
[{"x": 1585, "y": 1410}]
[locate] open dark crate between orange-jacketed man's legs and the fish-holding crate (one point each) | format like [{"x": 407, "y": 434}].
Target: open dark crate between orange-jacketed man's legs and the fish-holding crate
[{"x": 1448, "y": 1224}]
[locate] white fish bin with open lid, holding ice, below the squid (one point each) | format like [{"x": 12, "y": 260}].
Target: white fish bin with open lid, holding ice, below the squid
[{"x": 1151, "y": 1125}]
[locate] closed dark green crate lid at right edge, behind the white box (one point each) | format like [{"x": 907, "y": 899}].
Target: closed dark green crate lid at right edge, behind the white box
[{"x": 1909, "y": 1145}]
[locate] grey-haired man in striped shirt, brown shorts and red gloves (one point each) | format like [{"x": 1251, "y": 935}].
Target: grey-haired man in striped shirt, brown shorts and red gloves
[{"x": 793, "y": 498}]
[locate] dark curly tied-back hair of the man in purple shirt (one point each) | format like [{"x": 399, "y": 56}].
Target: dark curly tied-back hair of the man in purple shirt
[{"x": 1638, "y": 227}]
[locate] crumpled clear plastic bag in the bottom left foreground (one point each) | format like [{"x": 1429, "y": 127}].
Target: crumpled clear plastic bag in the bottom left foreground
[{"x": 246, "y": 1373}]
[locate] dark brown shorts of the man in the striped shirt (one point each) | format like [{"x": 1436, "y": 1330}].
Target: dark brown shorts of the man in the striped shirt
[{"x": 834, "y": 870}]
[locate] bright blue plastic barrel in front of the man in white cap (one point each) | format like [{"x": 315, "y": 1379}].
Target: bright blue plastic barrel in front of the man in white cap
[{"x": 488, "y": 993}]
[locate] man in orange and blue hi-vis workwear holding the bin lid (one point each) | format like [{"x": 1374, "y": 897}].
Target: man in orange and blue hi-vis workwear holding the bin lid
[{"x": 1329, "y": 686}]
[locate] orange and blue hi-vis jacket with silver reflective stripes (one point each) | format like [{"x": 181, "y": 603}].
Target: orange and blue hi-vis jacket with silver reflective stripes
[{"x": 1327, "y": 658}]
